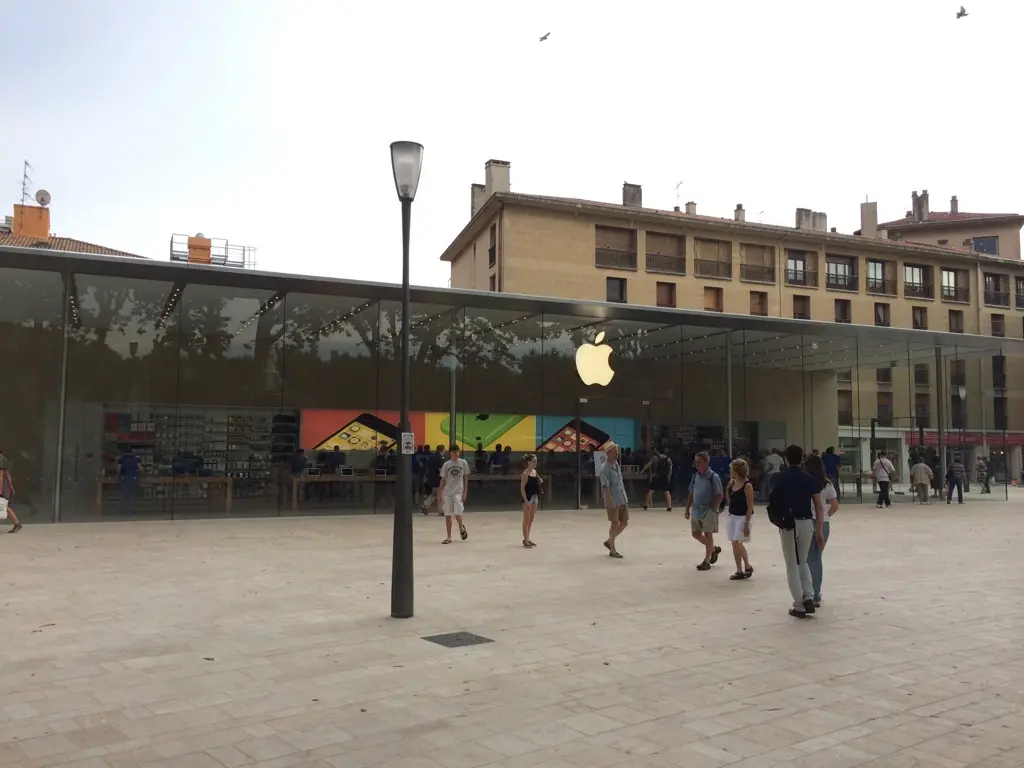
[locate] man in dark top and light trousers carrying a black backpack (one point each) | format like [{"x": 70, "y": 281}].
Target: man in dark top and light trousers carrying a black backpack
[{"x": 794, "y": 497}]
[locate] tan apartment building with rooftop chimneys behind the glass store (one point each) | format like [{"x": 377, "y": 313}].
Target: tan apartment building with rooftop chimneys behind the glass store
[{"x": 941, "y": 271}]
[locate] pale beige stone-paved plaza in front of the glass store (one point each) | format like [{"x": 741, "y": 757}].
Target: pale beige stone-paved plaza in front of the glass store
[{"x": 268, "y": 643}]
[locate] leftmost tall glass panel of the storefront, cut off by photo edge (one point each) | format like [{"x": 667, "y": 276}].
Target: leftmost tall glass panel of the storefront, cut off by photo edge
[{"x": 32, "y": 313}]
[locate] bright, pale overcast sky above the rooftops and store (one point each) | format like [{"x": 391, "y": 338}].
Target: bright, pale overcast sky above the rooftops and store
[{"x": 269, "y": 122}]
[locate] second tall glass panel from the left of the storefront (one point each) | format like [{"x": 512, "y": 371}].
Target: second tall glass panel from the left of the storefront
[{"x": 121, "y": 440}]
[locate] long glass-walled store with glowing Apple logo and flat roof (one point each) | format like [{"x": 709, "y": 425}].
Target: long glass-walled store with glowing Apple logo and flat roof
[{"x": 137, "y": 390}]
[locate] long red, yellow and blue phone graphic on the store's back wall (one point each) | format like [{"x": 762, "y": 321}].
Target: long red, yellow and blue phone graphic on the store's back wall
[{"x": 356, "y": 431}]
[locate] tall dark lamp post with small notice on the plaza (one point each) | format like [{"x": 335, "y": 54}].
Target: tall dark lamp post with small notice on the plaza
[{"x": 407, "y": 162}]
